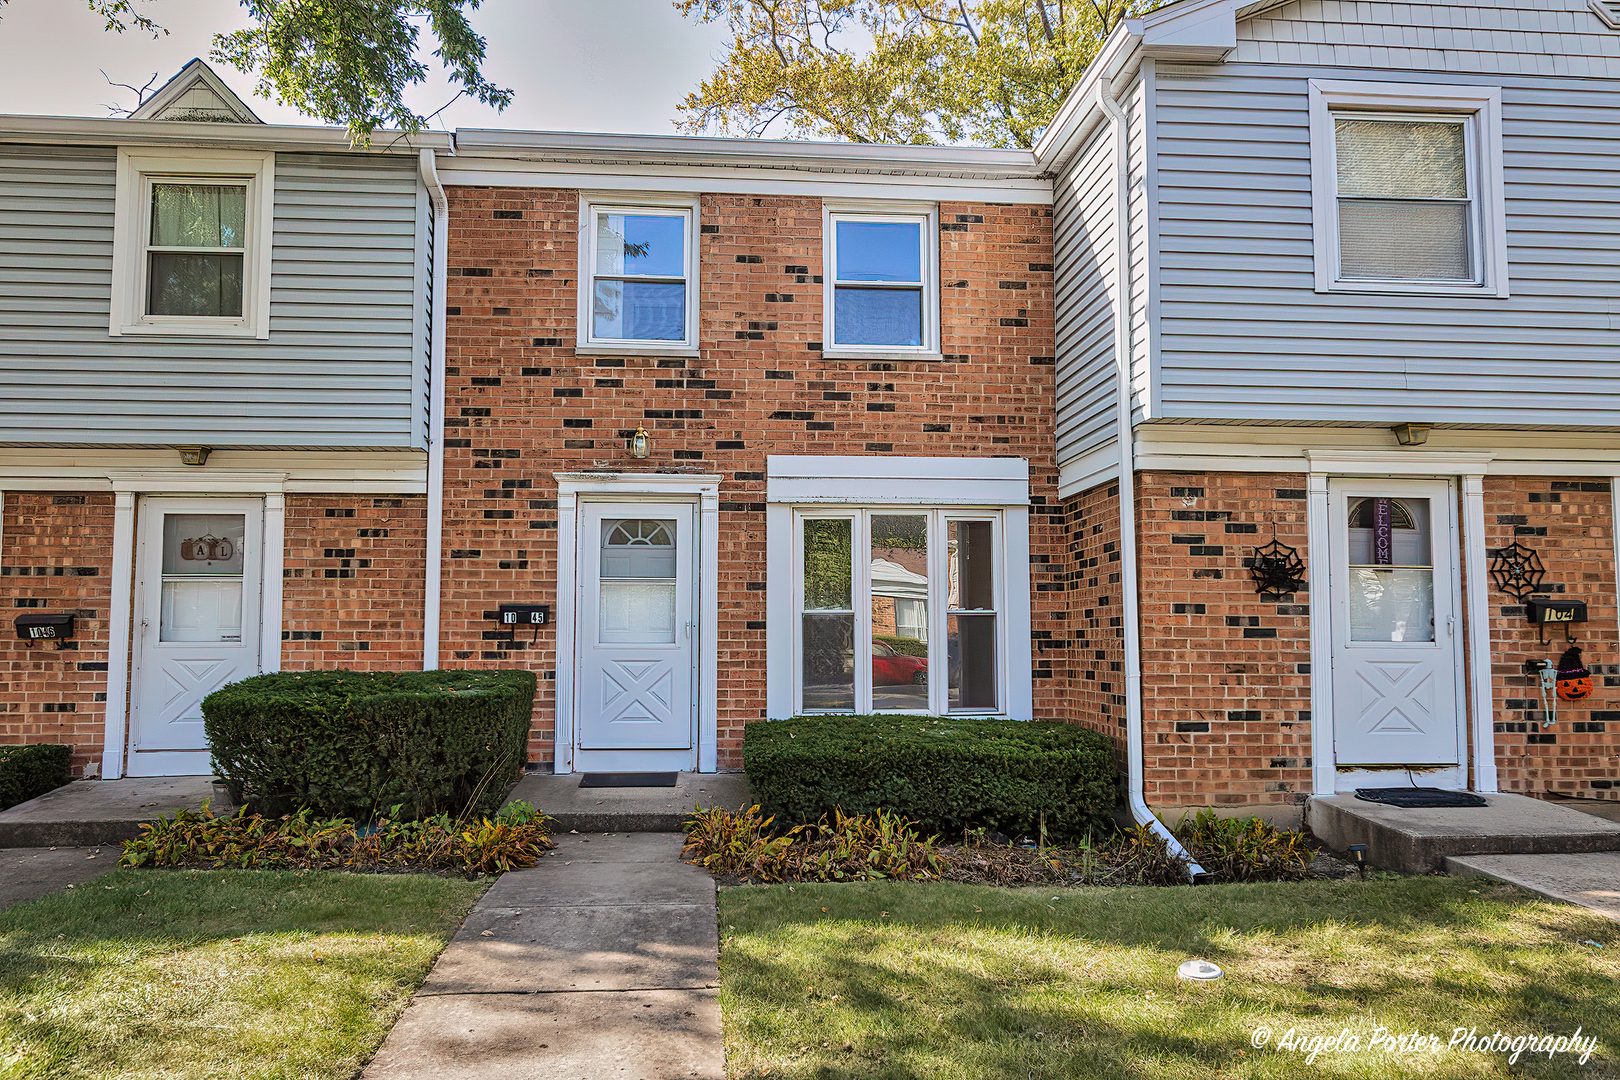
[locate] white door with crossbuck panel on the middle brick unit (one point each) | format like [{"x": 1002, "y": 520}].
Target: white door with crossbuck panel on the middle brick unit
[{"x": 636, "y": 626}]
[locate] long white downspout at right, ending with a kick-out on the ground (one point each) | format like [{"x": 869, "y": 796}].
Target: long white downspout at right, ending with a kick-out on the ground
[{"x": 1123, "y": 435}]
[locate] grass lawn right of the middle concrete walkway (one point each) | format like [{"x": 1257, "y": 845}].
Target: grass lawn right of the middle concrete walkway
[{"x": 893, "y": 980}]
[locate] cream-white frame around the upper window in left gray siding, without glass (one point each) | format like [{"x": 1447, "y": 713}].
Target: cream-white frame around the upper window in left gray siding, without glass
[{"x": 139, "y": 171}]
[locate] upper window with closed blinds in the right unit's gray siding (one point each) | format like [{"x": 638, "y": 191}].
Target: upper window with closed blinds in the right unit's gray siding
[{"x": 1409, "y": 189}]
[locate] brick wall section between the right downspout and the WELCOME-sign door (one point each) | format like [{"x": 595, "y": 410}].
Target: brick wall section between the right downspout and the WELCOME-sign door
[{"x": 1226, "y": 670}]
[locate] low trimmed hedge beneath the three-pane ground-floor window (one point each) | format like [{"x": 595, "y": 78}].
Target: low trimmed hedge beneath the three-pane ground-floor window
[{"x": 944, "y": 773}]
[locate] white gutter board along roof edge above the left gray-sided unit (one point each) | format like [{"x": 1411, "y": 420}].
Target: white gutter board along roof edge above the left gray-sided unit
[{"x": 116, "y": 132}]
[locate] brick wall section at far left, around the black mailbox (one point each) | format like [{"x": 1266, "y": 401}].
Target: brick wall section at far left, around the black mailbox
[{"x": 56, "y": 556}]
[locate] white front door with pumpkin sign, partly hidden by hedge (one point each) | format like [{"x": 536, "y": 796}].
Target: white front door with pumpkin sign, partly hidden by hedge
[{"x": 197, "y": 624}]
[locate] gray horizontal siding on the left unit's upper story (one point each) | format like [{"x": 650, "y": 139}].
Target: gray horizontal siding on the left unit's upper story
[{"x": 336, "y": 372}]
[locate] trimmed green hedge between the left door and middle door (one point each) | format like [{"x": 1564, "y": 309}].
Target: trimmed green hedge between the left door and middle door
[{"x": 359, "y": 744}]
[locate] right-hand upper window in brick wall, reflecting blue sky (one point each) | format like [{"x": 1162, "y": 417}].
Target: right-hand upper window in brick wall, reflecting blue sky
[{"x": 882, "y": 283}]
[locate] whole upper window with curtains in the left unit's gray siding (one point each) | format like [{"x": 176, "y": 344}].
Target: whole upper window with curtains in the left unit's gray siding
[{"x": 192, "y": 239}]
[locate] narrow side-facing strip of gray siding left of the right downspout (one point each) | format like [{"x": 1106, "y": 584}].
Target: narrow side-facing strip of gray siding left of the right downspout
[{"x": 1085, "y": 240}]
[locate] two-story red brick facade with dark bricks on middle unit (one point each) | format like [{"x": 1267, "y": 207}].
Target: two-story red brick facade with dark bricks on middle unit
[{"x": 522, "y": 406}]
